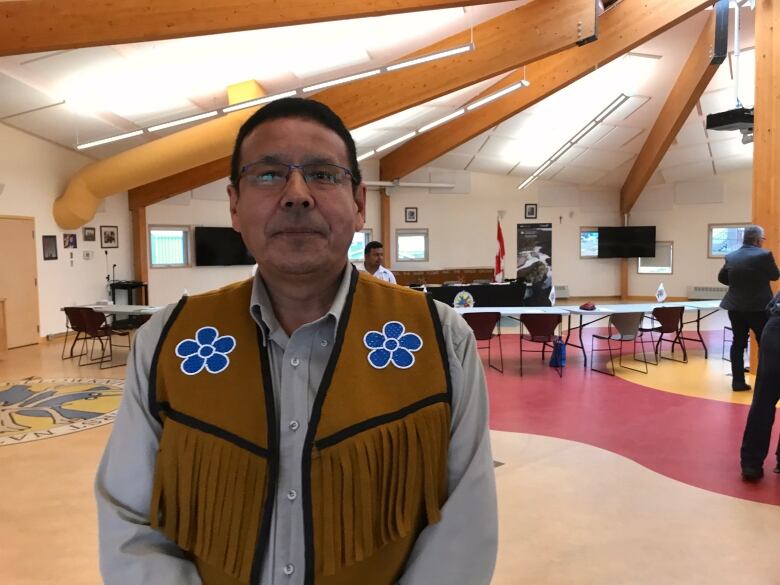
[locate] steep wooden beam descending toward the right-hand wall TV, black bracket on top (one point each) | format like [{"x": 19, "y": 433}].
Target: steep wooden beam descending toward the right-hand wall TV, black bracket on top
[{"x": 707, "y": 54}]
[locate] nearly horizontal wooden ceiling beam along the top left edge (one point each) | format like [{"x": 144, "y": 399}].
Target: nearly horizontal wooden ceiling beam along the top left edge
[{"x": 33, "y": 26}]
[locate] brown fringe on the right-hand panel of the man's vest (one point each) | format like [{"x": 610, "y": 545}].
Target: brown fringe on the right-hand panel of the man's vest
[{"x": 375, "y": 485}]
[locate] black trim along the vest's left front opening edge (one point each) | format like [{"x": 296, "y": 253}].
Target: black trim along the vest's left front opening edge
[{"x": 264, "y": 530}]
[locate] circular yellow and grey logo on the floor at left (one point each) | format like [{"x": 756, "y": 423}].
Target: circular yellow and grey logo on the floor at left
[{"x": 38, "y": 408}]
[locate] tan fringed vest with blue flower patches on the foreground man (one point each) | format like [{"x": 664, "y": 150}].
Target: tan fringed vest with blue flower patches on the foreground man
[{"x": 375, "y": 456}]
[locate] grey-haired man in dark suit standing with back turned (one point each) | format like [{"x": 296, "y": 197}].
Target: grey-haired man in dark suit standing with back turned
[{"x": 747, "y": 273}]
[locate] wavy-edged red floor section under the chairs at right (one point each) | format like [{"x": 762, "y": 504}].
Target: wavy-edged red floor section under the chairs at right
[{"x": 692, "y": 440}]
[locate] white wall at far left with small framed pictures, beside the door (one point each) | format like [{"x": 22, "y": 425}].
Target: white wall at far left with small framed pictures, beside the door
[{"x": 35, "y": 173}]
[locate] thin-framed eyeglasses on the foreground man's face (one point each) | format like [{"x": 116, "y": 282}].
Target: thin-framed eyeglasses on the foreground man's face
[{"x": 272, "y": 176}]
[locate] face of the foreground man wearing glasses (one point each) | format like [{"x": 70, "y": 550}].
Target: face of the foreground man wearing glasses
[{"x": 296, "y": 230}]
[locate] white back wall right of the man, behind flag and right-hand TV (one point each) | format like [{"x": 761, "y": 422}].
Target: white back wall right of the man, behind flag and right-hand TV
[{"x": 462, "y": 227}]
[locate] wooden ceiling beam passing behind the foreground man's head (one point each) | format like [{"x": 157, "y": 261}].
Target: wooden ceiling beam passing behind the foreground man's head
[{"x": 499, "y": 47}]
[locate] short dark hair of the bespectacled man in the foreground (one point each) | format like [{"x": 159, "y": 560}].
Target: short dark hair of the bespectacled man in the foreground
[{"x": 300, "y": 108}]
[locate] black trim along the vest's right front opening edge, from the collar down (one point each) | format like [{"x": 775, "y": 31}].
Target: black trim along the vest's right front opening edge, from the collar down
[{"x": 314, "y": 419}]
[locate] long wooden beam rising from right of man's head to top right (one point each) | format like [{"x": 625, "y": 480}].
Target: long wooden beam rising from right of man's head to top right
[{"x": 622, "y": 28}]
